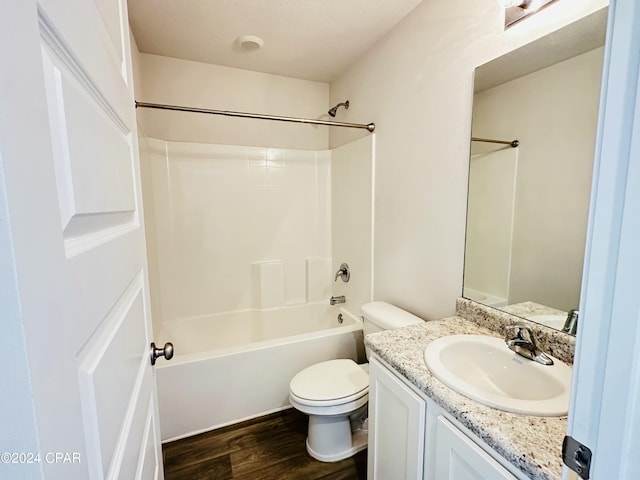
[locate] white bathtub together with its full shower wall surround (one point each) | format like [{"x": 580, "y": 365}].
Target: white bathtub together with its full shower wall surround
[{"x": 245, "y": 257}]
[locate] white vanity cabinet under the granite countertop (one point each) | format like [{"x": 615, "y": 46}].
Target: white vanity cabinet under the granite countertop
[{"x": 411, "y": 437}]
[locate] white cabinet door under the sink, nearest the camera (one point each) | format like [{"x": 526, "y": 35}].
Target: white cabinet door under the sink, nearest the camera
[{"x": 459, "y": 458}]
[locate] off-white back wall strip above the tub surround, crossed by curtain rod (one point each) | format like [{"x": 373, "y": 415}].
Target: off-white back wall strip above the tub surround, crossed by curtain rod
[{"x": 192, "y": 84}]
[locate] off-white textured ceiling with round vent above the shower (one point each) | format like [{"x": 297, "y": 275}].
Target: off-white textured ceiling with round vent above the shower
[{"x": 308, "y": 39}]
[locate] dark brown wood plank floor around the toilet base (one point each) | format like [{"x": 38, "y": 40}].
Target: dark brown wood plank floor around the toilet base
[{"x": 270, "y": 447}]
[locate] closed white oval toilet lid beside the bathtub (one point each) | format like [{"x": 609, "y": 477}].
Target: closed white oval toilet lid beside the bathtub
[{"x": 330, "y": 380}]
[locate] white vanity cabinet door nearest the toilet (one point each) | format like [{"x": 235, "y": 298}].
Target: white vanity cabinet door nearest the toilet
[{"x": 396, "y": 427}]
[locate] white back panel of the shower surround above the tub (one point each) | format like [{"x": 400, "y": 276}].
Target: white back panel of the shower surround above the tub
[{"x": 234, "y": 226}]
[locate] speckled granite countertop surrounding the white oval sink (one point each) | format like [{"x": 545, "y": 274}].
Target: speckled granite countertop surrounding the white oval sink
[{"x": 532, "y": 444}]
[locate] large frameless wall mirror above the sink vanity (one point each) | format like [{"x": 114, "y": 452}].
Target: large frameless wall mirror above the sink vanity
[{"x": 528, "y": 205}]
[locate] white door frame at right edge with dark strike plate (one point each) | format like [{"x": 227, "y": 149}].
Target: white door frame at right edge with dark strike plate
[{"x": 605, "y": 406}]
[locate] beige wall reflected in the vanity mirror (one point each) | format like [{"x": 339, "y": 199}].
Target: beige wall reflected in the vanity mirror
[{"x": 553, "y": 113}]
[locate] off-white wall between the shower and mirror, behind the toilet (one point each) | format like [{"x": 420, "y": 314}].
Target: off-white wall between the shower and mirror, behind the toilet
[{"x": 416, "y": 85}]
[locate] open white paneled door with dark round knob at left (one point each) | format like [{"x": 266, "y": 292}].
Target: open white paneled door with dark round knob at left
[{"x": 69, "y": 163}]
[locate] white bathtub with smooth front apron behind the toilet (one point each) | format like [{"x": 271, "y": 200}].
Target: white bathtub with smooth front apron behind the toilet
[{"x": 236, "y": 366}]
